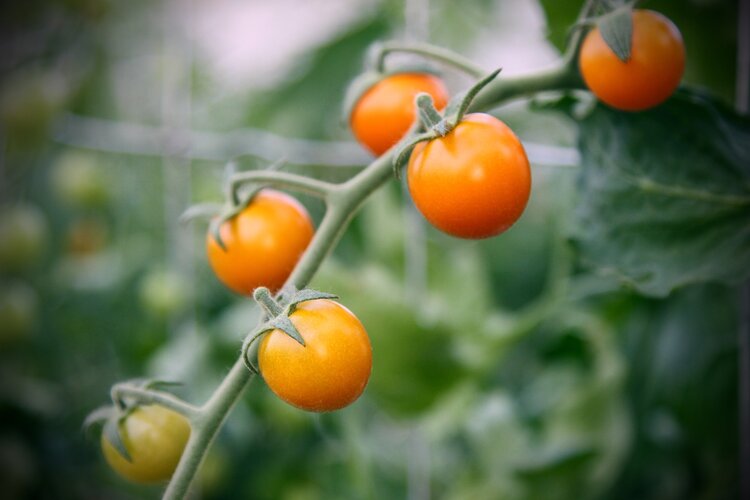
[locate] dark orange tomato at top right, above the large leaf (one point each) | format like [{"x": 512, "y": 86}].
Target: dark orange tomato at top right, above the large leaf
[{"x": 652, "y": 73}]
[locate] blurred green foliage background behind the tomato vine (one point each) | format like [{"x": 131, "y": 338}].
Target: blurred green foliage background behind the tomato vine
[{"x": 502, "y": 368}]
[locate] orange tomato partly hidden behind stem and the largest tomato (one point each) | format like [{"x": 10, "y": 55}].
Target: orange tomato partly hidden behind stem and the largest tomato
[{"x": 384, "y": 114}]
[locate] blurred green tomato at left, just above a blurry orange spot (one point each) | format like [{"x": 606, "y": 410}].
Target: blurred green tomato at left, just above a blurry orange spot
[{"x": 78, "y": 181}]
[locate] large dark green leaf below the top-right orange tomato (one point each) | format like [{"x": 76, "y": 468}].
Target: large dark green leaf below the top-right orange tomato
[{"x": 665, "y": 194}]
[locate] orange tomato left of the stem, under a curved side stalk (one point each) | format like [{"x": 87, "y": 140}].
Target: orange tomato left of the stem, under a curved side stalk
[{"x": 263, "y": 243}]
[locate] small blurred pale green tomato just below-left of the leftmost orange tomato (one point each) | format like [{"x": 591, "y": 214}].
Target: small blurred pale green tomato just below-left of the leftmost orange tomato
[{"x": 164, "y": 293}]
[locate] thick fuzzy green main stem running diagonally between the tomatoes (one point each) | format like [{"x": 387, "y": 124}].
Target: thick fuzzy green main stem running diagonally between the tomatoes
[{"x": 343, "y": 200}]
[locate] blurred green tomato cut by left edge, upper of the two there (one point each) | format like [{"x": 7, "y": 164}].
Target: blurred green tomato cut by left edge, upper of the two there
[{"x": 23, "y": 234}]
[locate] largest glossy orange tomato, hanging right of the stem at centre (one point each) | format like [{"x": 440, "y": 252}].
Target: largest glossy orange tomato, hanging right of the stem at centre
[{"x": 474, "y": 182}]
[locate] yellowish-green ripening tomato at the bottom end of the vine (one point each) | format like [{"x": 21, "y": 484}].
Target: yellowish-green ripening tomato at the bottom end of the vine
[{"x": 155, "y": 438}]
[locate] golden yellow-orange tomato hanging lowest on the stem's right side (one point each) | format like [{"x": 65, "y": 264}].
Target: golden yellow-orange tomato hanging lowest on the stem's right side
[{"x": 331, "y": 370}]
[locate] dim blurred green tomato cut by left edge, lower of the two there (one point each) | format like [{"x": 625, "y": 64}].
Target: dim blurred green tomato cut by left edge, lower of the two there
[{"x": 18, "y": 312}]
